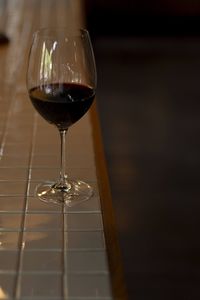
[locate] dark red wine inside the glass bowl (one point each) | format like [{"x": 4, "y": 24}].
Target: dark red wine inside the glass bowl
[{"x": 62, "y": 104}]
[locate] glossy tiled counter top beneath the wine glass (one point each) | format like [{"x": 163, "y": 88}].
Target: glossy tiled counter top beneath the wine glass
[{"x": 46, "y": 251}]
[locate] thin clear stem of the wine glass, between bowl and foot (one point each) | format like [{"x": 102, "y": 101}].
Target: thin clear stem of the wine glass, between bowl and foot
[{"x": 63, "y": 176}]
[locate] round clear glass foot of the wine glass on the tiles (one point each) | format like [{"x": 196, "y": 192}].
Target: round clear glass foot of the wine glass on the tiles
[{"x": 70, "y": 194}]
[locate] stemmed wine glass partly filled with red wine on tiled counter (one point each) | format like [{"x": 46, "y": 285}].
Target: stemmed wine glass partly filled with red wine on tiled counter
[{"x": 61, "y": 81}]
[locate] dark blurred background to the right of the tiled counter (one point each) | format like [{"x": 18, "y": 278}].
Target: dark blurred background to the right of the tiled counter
[{"x": 148, "y": 60}]
